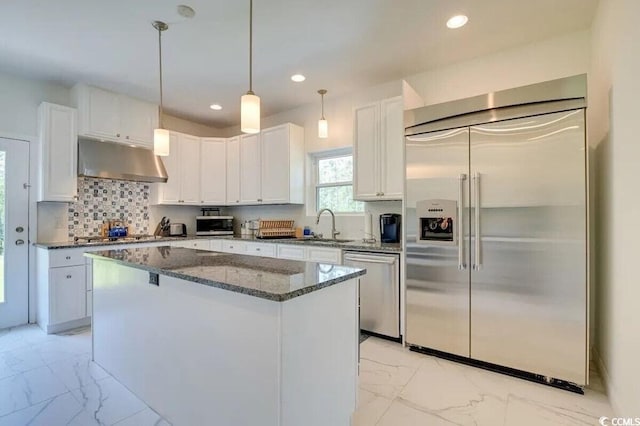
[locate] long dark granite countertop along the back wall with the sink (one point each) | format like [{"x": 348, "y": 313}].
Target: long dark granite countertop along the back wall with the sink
[{"x": 351, "y": 245}]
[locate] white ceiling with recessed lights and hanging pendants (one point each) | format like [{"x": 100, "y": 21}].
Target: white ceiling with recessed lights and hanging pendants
[{"x": 340, "y": 45}]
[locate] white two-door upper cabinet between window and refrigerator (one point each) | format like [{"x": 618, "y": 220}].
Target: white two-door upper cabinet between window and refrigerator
[{"x": 378, "y": 150}]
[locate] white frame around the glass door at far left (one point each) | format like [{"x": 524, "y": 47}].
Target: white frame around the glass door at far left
[{"x": 32, "y": 224}]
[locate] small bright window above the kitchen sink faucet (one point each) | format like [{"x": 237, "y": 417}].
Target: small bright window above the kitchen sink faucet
[{"x": 334, "y": 184}]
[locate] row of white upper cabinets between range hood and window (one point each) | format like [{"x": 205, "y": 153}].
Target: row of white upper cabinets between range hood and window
[{"x": 263, "y": 168}]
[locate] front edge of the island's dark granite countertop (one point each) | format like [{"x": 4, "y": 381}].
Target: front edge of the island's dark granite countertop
[{"x": 230, "y": 287}]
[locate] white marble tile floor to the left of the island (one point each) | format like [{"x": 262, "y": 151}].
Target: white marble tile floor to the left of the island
[{"x": 50, "y": 380}]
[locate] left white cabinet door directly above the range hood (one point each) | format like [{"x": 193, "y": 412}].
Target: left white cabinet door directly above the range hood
[{"x": 102, "y": 115}]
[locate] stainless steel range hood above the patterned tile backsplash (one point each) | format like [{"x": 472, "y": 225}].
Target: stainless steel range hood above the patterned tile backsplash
[{"x": 115, "y": 161}]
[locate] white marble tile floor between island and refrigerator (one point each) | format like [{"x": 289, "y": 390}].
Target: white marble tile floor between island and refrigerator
[{"x": 403, "y": 388}]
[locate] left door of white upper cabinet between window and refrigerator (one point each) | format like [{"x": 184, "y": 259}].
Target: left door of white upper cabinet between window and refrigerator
[{"x": 366, "y": 136}]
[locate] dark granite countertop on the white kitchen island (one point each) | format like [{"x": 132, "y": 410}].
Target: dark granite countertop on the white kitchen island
[{"x": 272, "y": 279}]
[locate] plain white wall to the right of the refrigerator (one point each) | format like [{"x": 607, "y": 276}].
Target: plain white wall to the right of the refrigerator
[{"x": 614, "y": 88}]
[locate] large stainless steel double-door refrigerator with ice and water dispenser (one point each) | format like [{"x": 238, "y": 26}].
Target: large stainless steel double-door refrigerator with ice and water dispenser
[{"x": 496, "y": 232}]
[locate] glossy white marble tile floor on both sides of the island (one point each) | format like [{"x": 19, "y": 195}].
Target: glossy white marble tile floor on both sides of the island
[{"x": 50, "y": 380}]
